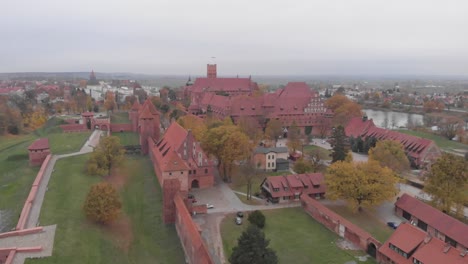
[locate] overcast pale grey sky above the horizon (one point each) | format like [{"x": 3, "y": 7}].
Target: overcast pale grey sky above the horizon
[{"x": 346, "y": 37}]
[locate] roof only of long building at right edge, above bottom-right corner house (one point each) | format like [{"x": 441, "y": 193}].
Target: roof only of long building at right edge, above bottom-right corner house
[{"x": 445, "y": 224}]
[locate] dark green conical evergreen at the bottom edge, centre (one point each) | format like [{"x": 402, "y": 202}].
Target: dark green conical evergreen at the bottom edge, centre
[{"x": 252, "y": 247}]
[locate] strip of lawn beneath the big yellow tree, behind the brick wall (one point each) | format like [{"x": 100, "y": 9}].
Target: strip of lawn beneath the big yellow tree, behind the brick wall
[{"x": 365, "y": 220}]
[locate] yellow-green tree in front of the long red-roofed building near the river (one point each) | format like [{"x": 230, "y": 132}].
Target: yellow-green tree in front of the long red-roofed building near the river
[{"x": 391, "y": 154}]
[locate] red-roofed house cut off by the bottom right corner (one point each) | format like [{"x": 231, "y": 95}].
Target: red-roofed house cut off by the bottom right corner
[{"x": 410, "y": 245}]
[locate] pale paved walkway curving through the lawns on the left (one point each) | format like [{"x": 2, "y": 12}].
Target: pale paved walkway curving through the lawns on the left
[{"x": 44, "y": 239}]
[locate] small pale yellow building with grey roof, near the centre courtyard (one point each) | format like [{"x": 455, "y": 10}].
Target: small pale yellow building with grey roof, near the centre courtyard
[{"x": 267, "y": 158}]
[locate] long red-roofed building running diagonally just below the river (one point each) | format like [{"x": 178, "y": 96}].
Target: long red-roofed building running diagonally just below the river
[{"x": 420, "y": 151}]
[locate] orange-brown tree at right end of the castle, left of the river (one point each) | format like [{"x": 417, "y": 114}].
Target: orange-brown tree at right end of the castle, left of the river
[{"x": 343, "y": 108}]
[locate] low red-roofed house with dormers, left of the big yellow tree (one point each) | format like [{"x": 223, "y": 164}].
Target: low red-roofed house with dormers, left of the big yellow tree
[{"x": 291, "y": 187}]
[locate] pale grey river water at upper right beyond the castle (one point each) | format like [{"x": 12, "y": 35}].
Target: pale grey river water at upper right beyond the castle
[{"x": 391, "y": 119}]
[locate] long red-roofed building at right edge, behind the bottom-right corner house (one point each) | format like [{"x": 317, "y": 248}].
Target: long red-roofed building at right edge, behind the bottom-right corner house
[{"x": 433, "y": 221}]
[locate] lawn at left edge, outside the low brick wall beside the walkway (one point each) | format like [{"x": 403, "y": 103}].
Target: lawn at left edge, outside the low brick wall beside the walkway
[{"x": 16, "y": 178}]
